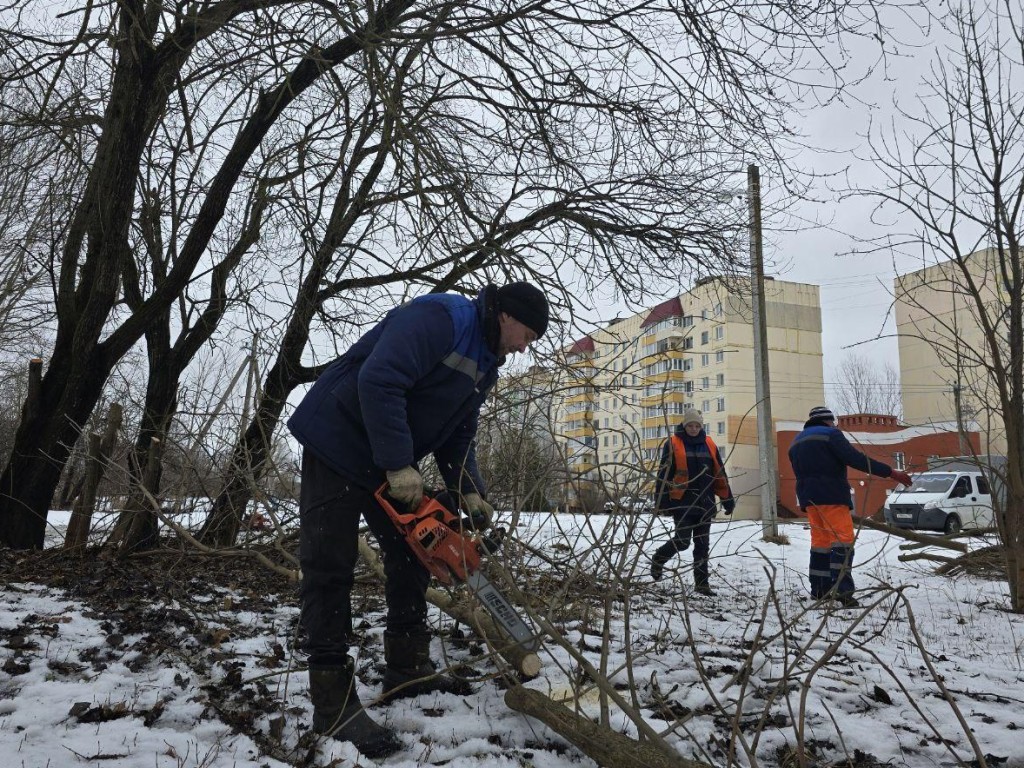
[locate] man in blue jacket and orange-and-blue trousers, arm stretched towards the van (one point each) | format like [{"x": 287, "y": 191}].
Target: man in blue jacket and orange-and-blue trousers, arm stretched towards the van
[{"x": 821, "y": 456}]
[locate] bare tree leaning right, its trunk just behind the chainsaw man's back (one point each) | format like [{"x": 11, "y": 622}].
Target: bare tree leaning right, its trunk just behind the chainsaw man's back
[{"x": 506, "y": 167}]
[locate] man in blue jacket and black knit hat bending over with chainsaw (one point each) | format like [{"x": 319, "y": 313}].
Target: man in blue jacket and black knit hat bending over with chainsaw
[{"x": 412, "y": 387}]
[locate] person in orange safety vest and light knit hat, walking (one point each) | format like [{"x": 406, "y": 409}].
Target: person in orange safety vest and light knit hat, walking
[{"x": 691, "y": 476}]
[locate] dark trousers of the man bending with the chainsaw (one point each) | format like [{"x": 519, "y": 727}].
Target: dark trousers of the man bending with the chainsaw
[{"x": 330, "y": 509}]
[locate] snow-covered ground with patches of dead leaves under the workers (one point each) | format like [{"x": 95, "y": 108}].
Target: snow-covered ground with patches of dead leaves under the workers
[{"x": 929, "y": 672}]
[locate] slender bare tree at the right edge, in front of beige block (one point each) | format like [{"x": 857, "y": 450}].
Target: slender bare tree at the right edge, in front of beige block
[{"x": 959, "y": 177}]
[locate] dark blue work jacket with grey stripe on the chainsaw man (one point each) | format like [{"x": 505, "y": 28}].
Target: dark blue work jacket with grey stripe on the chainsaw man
[{"x": 413, "y": 386}]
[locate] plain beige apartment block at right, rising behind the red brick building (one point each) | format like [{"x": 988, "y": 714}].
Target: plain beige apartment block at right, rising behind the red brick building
[{"x": 943, "y": 355}]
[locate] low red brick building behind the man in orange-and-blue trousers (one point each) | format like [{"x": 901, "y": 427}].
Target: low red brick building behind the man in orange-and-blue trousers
[{"x": 881, "y": 438}]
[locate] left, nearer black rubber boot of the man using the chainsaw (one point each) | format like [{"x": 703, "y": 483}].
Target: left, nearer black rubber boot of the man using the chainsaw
[{"x": 338, "y": 713}]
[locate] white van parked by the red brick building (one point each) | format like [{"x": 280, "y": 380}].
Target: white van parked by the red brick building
[{"x": 943, "y": 501}]
